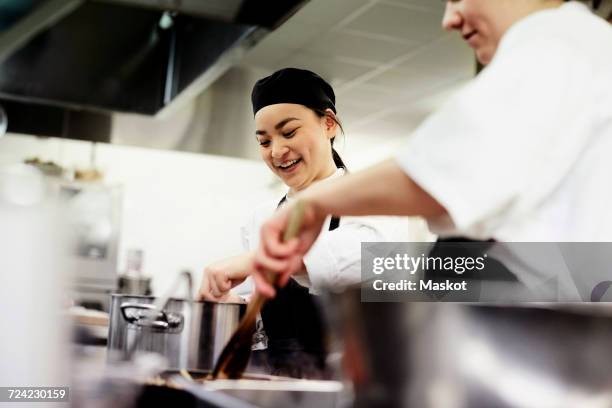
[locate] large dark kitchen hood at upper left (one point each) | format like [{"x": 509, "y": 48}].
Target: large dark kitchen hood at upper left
[{"x": 136, "y": 56}]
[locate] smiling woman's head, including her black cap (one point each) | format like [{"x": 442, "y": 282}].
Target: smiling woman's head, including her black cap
[{"x": 295, "y": 118}]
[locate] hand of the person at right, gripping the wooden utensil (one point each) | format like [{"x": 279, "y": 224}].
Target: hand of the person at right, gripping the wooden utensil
[{"x": 275, "y": 261}]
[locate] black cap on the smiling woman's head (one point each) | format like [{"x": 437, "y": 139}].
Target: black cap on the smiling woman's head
[{"x": 293, "y": 85}]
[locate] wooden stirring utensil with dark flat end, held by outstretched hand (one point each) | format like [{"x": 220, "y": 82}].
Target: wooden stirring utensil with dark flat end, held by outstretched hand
[{"x": 235, "y": 356}]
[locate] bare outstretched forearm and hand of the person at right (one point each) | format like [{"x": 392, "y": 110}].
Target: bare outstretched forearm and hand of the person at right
[{"x": 383, "y": 189}]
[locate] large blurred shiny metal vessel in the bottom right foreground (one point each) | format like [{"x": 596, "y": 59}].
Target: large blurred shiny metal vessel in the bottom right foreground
[{"x": 475, "y": 355}]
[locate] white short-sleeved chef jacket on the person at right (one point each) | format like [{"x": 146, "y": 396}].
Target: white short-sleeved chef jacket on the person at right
[{"x": 524, "y": 151}]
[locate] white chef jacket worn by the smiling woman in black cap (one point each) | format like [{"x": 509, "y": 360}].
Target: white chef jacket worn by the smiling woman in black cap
[{"x": 334, "y": 261}]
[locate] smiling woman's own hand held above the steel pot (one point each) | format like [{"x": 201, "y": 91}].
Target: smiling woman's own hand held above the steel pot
[{"x": 221, "y": 276}]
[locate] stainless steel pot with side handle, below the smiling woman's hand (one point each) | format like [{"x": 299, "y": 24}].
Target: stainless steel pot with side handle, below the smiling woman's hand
[{"x": 190, "y": 335}]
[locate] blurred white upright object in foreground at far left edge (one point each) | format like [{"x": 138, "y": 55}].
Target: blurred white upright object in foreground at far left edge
[{"x": 33, "y": 345}]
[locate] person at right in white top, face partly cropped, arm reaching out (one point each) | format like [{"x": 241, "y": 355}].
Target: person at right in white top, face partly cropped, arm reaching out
[{"x": 522, "y": 153}]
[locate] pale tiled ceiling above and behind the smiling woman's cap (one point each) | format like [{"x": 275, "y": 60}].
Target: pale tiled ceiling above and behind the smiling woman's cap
[{"x": 389, "y": 61}]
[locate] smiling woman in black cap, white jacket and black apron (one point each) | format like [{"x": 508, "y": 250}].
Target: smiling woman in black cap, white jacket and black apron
[{"x": 296, "y": 125}]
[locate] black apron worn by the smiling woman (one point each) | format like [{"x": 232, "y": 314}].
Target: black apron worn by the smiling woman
[{"x": 295, "y": 329}]
